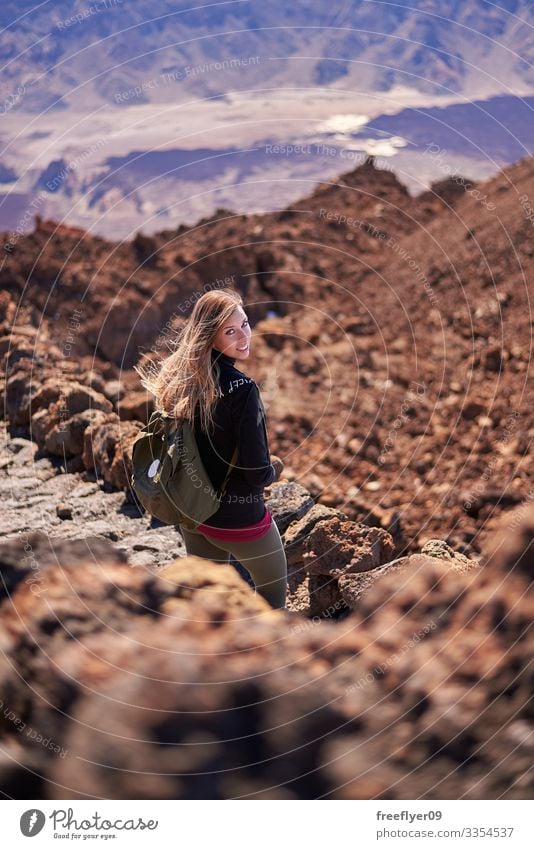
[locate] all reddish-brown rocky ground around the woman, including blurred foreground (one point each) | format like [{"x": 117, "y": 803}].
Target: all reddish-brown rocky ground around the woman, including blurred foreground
[{"x": 393, "y": 352}]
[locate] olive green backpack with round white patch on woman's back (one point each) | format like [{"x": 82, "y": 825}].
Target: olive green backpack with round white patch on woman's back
[{"x": 169, "y": 478}]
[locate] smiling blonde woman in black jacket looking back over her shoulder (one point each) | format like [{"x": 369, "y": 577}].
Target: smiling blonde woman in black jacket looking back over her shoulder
[{"x": 200, "y": 381}]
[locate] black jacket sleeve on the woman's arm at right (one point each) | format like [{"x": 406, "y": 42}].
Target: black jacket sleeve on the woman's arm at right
[{"x": 253, "y": 459}]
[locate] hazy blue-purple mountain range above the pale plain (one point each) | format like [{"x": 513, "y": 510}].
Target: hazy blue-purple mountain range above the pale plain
[{"x": 60, "y": 54}]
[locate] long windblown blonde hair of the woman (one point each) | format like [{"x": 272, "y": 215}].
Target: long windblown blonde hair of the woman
[{"x": 188, "y": 376}]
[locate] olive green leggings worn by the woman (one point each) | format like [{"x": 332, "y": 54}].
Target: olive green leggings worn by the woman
[{"x": 264, "y": 558}]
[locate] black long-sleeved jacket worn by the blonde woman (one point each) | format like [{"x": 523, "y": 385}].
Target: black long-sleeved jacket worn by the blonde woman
[{"x": 239, "y": 418}]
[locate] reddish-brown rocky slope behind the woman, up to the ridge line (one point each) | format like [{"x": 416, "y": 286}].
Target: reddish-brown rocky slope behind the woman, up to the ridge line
[{"x": 392, "y": 345}]
